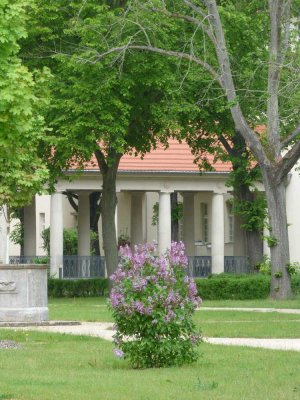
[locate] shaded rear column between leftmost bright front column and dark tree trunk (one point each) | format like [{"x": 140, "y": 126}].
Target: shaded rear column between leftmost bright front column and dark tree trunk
[{"x": 84, "y": 235}]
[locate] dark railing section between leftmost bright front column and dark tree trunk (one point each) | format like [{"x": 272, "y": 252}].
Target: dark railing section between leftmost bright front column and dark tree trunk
[{"x": 83, "y": 267}]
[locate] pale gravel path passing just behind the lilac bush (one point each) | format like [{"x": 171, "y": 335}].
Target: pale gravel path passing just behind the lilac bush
[{"x": 105, "y": 330}]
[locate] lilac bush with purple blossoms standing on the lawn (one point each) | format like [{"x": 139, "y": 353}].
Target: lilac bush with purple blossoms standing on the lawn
[{"x": 152, "y": 301}]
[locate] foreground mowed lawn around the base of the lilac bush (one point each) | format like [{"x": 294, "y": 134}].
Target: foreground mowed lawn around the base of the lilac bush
[{"x": 65, "y": 367}]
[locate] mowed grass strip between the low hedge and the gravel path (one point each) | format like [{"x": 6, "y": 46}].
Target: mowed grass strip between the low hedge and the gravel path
[{"x": 212, "y": 323}]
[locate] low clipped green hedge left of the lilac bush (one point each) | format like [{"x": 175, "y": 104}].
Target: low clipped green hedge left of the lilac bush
[{"x": 77, "y": 288}]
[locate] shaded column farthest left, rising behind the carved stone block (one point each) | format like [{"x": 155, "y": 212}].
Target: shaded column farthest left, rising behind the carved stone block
[{"x": 30, "y": 242}]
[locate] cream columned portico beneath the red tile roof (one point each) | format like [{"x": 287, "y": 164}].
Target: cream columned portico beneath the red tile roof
[{"x": 203, "y": 235}]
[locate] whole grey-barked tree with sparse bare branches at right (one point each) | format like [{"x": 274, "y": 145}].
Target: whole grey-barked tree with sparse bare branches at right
[{"x": 278, "y": 148}]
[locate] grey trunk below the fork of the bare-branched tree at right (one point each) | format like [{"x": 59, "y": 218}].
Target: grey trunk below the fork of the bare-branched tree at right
[{"x": 278, "y": 239}]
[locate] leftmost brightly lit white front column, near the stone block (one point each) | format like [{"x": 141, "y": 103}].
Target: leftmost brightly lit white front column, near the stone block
[{"x": 56, "y": 234}]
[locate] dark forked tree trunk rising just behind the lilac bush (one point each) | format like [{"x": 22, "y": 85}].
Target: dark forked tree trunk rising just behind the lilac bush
[{"x": 108, "y": 208}]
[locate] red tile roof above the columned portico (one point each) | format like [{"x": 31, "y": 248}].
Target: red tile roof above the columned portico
[{"x": 176, "y": 158}]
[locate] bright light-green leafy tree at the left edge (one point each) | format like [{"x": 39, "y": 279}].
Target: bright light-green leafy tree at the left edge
[{"x": 22, "y": 172}]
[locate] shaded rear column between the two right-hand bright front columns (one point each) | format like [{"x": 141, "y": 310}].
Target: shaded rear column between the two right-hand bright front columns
[{"x": 189, "y": 223}]
